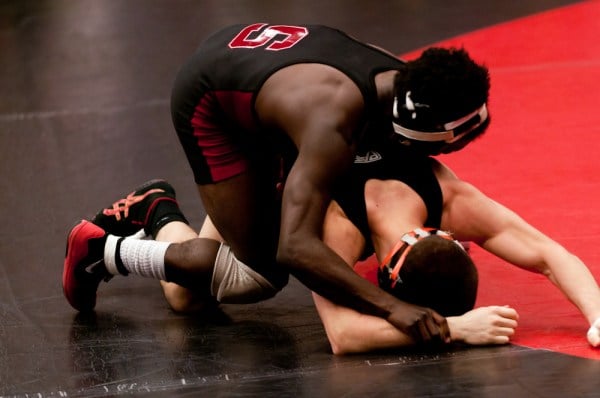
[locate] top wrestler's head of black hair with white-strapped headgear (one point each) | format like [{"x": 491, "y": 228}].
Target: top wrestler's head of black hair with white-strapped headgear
[{"x": 443, "y": 91}]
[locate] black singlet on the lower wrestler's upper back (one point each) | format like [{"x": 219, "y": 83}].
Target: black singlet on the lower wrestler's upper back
[{"x": 414, "y": 171}]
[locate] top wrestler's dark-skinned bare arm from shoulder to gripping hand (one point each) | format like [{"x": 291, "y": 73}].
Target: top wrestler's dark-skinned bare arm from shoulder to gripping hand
[{"x": 321, "y": 114}]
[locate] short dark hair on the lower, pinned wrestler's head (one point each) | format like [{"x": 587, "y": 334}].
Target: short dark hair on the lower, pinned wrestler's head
[{"x": 436, "y": 273}]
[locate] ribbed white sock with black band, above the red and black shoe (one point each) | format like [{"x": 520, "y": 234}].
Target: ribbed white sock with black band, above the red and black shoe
[{"x": 139, "y": 257}]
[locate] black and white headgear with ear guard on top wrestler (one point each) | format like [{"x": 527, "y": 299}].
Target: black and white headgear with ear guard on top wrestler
[{"x": 416, "y": 121}]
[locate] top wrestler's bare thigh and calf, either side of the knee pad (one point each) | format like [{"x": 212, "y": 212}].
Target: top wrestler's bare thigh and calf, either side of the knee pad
[{"x": 244, "y": 210}]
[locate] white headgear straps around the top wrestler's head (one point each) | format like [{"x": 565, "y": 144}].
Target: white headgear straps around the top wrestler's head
[{"x": 448, "y": 135}]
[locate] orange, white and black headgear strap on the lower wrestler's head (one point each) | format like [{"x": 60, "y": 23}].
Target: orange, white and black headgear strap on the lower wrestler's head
[{"x": 393, "y": 262}]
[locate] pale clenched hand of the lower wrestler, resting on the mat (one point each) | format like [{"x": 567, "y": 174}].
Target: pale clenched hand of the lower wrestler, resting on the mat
[{"x": 484, "y": 325}]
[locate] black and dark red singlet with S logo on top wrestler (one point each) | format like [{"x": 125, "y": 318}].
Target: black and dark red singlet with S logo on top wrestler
[{"x": 212, "y": 103}]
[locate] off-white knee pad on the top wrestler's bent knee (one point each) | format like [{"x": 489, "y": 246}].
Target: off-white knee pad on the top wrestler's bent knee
[{"x": 233, "y": 282}]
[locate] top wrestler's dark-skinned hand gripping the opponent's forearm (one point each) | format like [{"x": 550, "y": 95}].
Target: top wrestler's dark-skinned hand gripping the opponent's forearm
[{"x": 424, "y": 325}]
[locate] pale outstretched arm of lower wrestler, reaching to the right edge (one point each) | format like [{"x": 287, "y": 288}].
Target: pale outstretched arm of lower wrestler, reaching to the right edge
[{"x": 473, "y": 216}]
